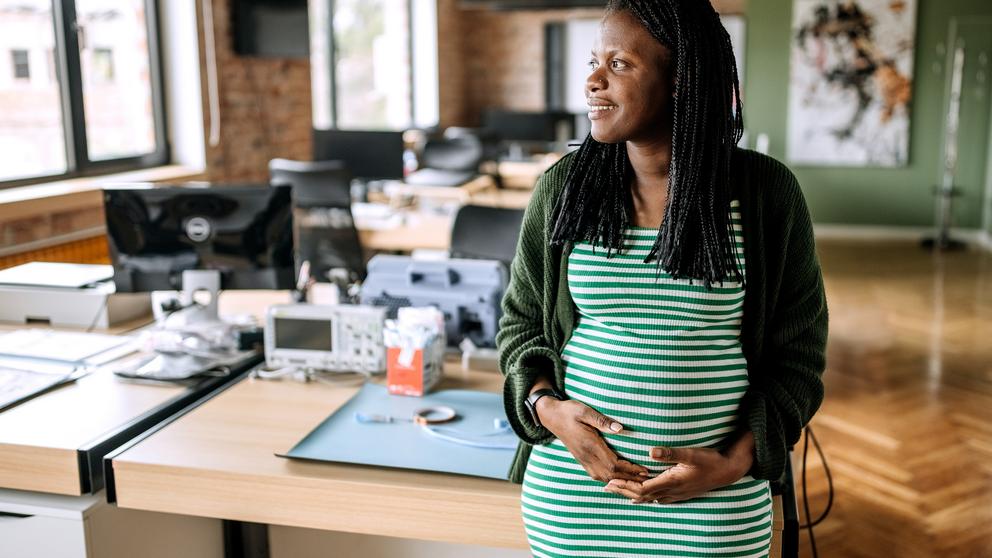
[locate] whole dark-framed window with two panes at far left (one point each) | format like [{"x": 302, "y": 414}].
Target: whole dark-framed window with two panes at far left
[{"x": 98, "y": 107}]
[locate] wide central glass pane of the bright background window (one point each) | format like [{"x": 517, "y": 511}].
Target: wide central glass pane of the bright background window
[{"x": 373, "y": 63}]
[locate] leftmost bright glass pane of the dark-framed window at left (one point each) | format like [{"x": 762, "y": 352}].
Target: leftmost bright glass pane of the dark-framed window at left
[{"x": 32, "y": 138}]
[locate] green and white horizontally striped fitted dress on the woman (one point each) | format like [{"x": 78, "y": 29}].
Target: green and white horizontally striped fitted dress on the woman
[{"x": 664, "y": 358}]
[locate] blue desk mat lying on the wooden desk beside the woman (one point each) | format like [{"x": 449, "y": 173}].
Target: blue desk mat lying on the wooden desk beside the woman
[{"x": 341, "y": 438}]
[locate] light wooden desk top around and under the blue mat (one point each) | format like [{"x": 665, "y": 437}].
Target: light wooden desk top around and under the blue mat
[{"x": 219, "y": 461}]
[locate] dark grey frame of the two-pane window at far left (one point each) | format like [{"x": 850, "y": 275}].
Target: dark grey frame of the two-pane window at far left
[{"x": 69, "y": 77}]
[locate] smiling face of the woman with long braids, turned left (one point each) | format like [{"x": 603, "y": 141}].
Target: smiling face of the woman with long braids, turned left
[{"x": 629, "y": 89}]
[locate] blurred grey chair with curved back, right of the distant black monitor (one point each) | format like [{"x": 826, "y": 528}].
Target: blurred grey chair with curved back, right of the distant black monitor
[{"x": 448, "y": 161}]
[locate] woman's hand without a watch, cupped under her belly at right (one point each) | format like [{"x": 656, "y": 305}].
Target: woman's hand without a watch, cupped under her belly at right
[{"x": 696, "y": 472}]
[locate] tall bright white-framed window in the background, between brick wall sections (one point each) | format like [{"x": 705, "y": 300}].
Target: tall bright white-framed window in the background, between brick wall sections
[{"x": 374, "y": 64}]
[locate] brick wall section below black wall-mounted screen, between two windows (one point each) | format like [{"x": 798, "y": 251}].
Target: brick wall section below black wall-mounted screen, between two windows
[{"x": 265, "y": 109}]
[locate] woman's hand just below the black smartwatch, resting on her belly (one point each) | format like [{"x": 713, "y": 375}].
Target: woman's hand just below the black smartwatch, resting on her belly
[{"x": 578, "y": 426}]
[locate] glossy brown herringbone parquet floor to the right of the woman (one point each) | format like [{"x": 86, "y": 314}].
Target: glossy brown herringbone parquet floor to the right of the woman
[{"x": 907, "y": 421}]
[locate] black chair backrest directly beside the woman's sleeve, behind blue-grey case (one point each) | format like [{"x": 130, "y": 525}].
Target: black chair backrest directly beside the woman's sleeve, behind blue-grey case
[{"x": 489, "y": 233}]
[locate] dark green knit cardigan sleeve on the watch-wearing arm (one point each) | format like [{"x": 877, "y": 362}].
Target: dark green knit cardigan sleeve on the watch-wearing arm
[{"x": 523, "y": 341}]
